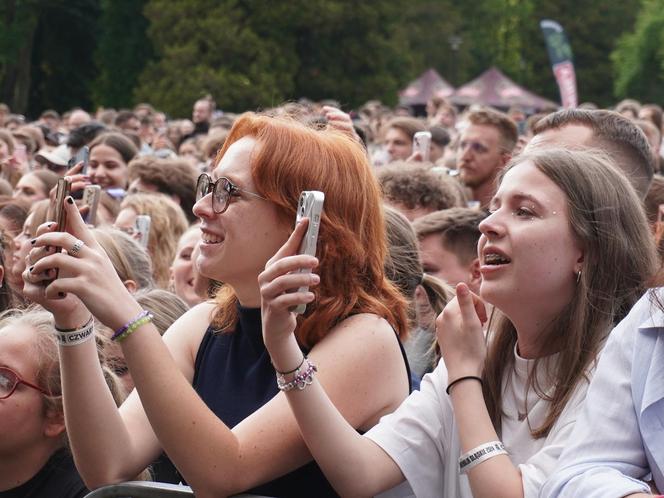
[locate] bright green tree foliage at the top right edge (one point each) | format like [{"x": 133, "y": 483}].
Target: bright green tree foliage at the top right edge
[{"x": 639, "y": 57}]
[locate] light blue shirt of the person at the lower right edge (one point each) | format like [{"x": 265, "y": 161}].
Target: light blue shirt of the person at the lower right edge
[{"x": 618, "y": 441}]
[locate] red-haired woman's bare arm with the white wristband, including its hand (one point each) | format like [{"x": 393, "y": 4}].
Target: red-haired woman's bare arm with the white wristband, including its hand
[{"x": 107, "y": 446}]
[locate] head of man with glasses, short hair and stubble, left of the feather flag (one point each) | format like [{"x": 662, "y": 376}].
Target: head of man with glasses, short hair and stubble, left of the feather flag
[{"x": 485, "y": 147}]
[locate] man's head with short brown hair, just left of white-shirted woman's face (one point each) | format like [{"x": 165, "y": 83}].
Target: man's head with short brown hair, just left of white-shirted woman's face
[{"x": 448, "y": 245}]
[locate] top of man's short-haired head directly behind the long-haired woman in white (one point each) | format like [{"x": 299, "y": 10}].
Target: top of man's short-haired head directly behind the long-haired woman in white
[{"x": 605, "y": 130}]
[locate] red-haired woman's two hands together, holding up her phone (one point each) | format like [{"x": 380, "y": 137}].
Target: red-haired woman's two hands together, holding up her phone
[{"x": 81, "y": 272}]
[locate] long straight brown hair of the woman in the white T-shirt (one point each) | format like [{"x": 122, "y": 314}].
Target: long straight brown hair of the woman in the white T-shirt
[{"x": 606, "y": 217}]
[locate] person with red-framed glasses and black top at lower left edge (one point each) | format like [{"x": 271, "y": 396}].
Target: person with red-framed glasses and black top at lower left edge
[{"x": 34, "y": 460}]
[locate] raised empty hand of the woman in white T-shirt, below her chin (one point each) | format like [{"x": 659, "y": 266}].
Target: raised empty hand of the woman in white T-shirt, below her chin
[{"x": 460, "y": 334}]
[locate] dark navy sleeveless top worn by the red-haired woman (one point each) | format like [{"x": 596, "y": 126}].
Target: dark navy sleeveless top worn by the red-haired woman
[{"x": 235, "y": 377}]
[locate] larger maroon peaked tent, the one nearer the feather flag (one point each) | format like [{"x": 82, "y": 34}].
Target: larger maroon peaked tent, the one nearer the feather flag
[{"x": 495, "y": 89}]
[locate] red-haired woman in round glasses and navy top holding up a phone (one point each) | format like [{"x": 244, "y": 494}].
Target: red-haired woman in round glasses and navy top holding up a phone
[{"x": 208, "y": 394}]
